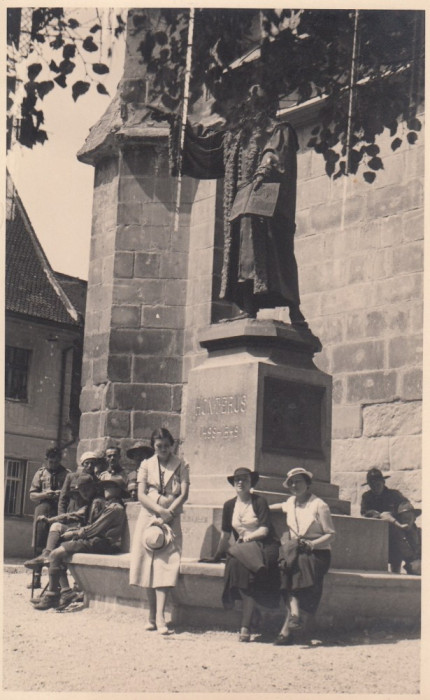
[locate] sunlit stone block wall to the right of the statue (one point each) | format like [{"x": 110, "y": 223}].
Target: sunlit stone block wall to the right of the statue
[{"x": 359, "y": 250}]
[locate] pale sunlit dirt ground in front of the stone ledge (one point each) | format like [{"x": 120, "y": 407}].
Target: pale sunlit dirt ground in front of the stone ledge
[{"x": 84, "y": 649}]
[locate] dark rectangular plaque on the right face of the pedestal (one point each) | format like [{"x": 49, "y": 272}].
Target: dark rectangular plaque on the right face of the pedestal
[{"x": 292, "y": 418}]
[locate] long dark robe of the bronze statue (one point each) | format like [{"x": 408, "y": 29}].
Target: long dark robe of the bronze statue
[{"x": 256, "y": 248}]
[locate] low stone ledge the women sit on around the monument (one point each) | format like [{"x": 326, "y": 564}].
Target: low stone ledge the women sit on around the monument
[{"x": 351, "y": 599}]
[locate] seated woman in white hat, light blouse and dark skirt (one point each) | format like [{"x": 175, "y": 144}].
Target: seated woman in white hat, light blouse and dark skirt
[{"x": 307, "y": 557}]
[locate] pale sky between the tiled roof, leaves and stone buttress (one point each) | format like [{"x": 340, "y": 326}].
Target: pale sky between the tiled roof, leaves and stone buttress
[{"x": 55, "y": 188}]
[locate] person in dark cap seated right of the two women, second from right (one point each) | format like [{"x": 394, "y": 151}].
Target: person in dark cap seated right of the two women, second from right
[{"x": 381, "y": 502}]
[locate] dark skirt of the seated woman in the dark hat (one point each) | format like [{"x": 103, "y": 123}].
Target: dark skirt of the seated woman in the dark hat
[{"x": 264, "y": 586}]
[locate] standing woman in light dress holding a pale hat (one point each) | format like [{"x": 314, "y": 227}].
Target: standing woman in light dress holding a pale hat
[{"x": 163, "y": 486}]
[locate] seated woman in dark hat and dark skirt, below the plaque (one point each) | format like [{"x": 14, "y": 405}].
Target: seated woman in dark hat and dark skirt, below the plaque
[{"x": 251, "y": 572}]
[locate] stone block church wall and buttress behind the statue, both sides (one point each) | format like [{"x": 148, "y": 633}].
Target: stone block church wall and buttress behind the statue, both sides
[{"x": 153, "y": 285}]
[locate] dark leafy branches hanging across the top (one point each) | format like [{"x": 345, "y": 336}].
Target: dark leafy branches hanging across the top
[{"x": 366, "y": 66}]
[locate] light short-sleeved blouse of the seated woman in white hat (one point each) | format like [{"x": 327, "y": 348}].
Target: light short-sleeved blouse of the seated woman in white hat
[{"x": 311, "y": 519}]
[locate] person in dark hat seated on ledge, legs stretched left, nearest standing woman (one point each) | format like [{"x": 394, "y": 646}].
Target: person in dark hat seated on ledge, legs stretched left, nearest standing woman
[{"x": 103, "y": 536}]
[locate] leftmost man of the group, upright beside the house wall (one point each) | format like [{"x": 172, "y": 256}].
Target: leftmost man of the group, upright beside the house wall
[{"x": 44, "y": 491}]
